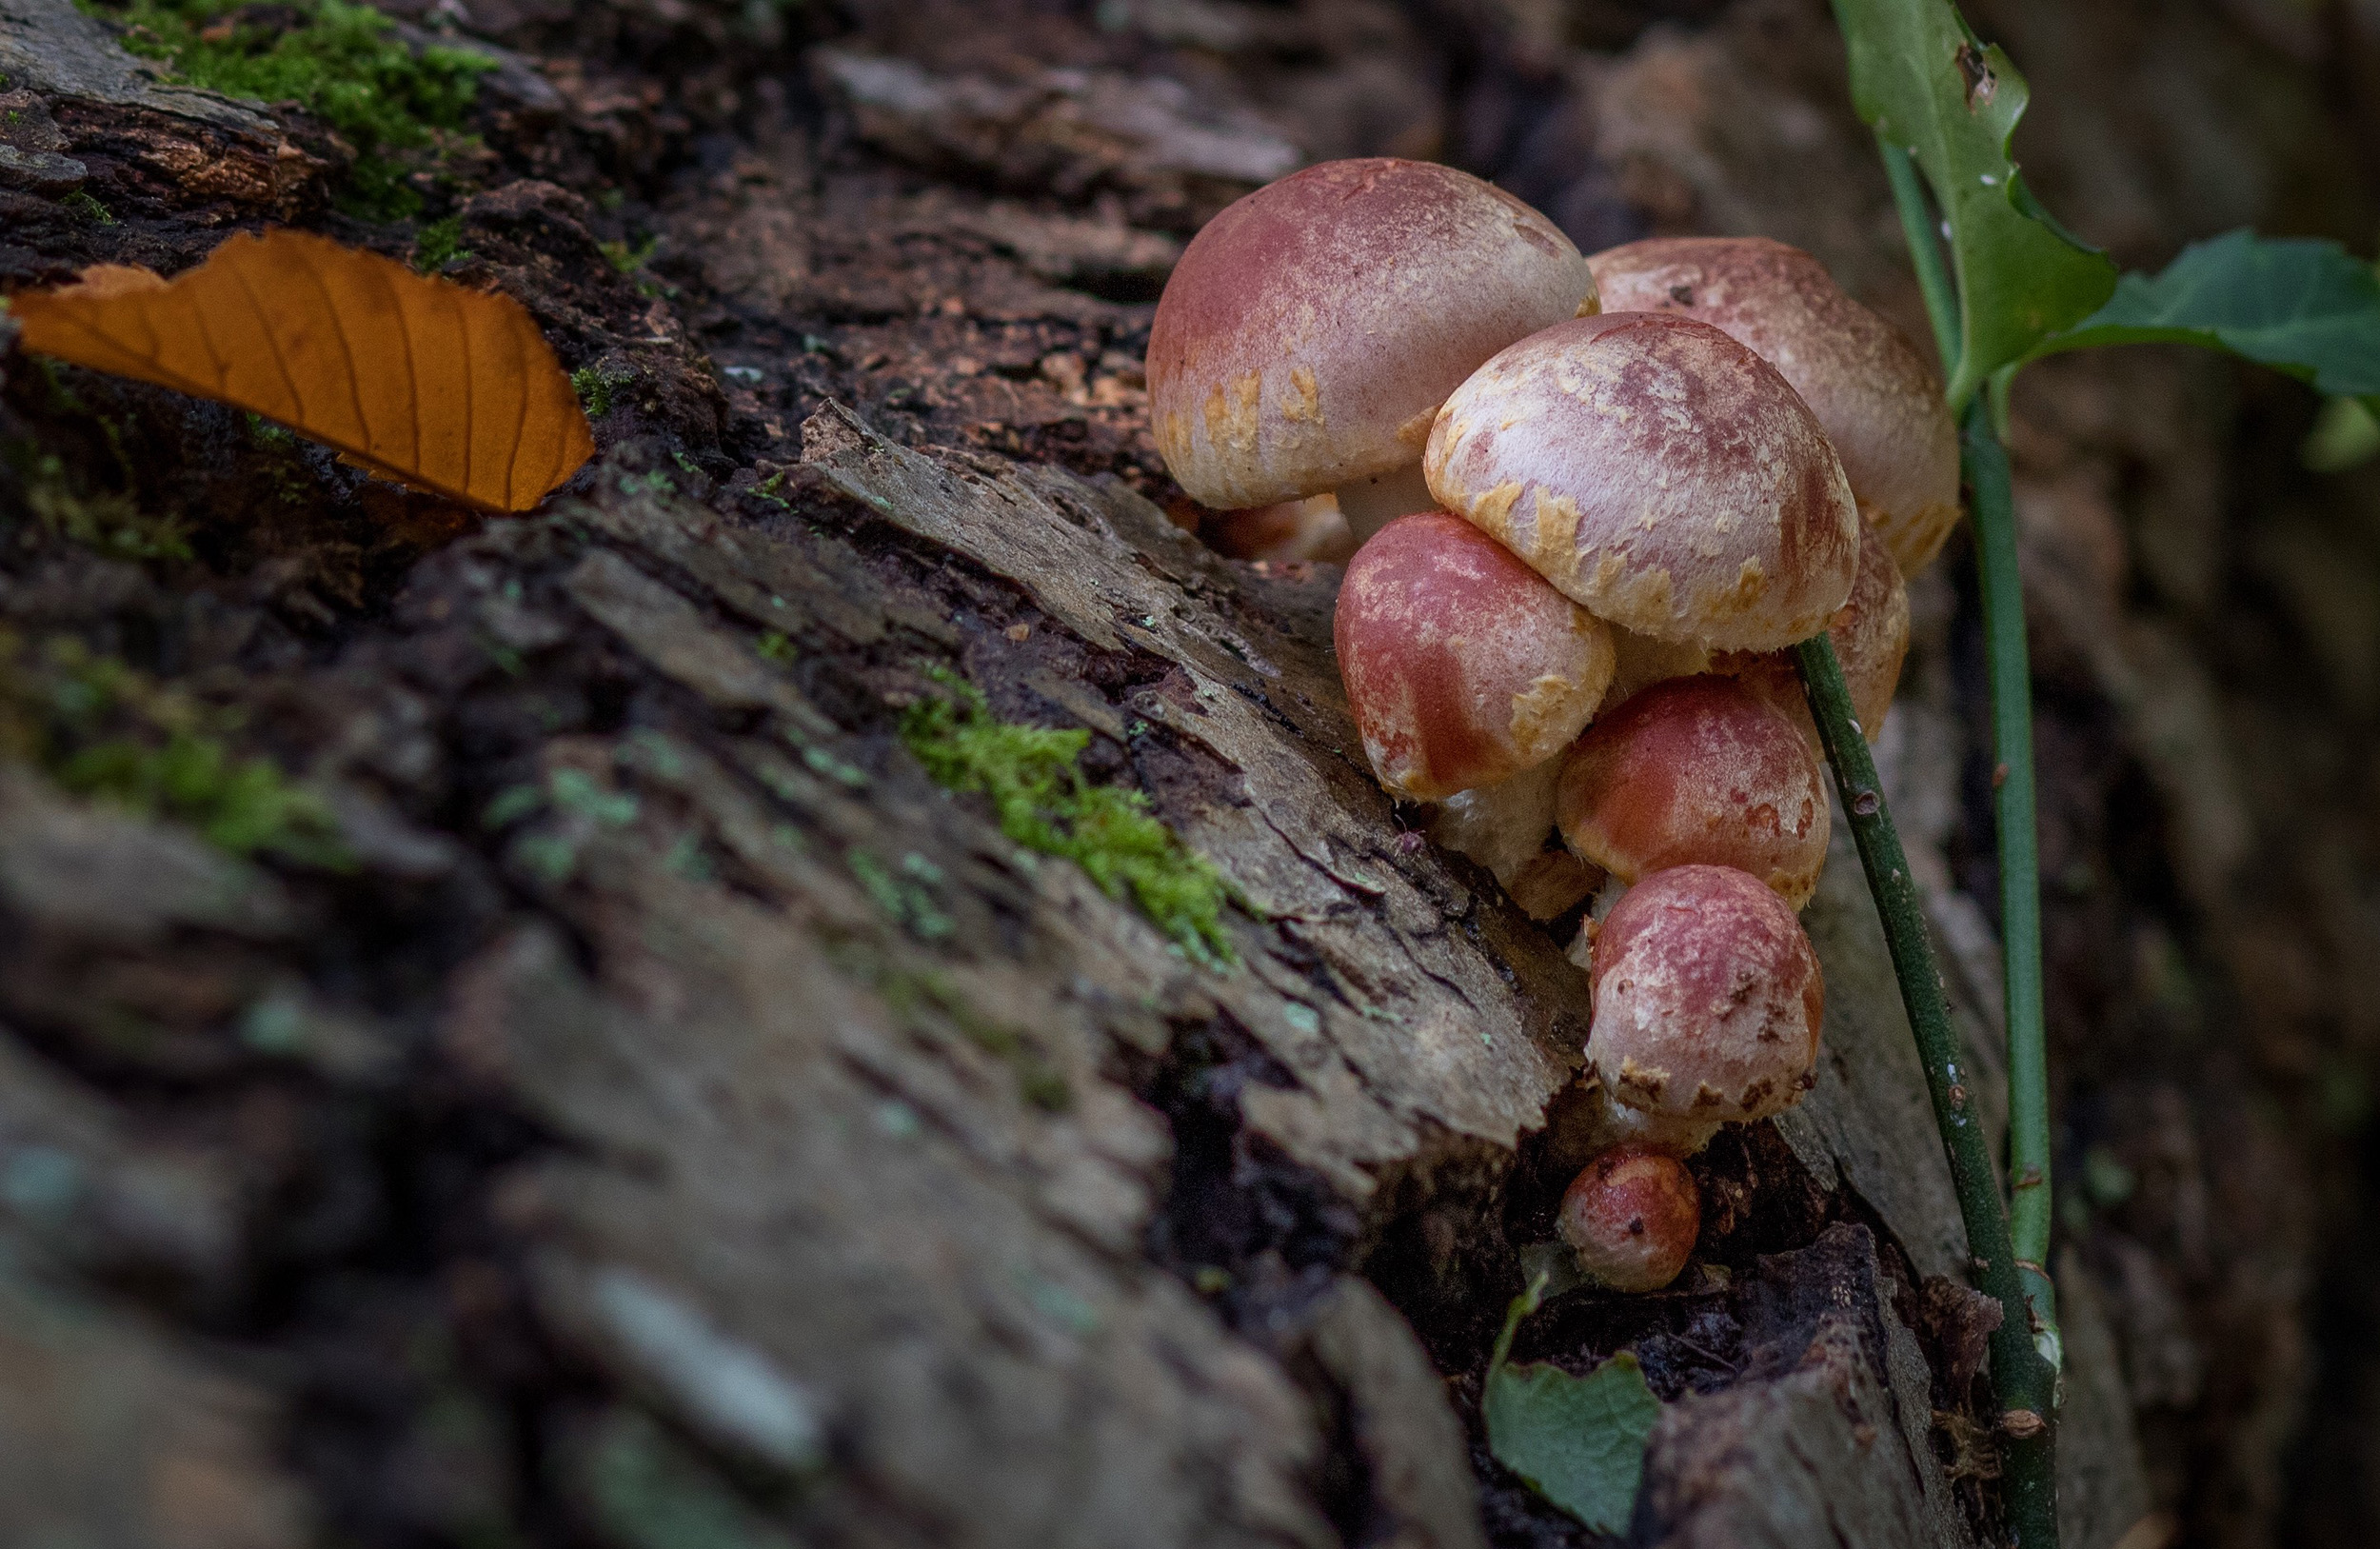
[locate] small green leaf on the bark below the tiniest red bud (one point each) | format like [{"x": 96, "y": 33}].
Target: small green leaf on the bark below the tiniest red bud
[{"x": 1577, "y": 1441}]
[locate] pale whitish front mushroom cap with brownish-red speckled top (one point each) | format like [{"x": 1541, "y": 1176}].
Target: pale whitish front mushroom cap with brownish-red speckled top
[{"x": 1658, "y": 472}]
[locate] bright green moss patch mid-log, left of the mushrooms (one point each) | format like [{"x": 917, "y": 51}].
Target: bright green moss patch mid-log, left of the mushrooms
[{"x": 1036, "y": 786}]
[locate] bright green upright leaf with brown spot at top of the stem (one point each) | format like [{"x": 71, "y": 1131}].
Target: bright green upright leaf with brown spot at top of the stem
[{"x": 1922, "y": 80}]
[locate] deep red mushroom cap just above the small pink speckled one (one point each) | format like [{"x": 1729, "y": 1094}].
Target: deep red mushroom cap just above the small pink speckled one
[{"x": 1698, "y": 772}]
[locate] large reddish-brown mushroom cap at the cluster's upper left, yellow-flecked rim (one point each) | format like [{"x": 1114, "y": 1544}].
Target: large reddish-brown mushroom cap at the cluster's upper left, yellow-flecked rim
[{"x": 1313, "y": 330}]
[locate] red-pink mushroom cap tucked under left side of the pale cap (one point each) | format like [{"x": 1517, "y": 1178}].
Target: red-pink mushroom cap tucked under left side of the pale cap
[{"x": 1463, "y": 665}]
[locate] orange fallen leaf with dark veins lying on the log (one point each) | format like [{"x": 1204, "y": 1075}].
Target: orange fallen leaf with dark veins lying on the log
[{"x": 418, "y": 380}]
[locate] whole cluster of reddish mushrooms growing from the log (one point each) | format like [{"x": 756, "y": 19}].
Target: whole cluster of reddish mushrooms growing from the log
[{"x": 1598, "y": 503}]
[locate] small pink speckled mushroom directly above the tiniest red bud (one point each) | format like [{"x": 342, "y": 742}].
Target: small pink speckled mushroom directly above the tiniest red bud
[{"x": 1708, "y": 998}]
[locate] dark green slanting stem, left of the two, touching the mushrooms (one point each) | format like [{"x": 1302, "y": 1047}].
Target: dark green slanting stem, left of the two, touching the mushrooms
[{"x": 2022, "y": 1379}]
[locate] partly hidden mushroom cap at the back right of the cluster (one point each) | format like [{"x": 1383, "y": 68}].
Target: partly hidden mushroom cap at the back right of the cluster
[{"x": 1867, "y": 384}]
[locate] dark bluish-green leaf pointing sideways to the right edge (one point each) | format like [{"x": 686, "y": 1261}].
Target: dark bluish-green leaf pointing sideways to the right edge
[{"x": 2293, "y": 303}]
